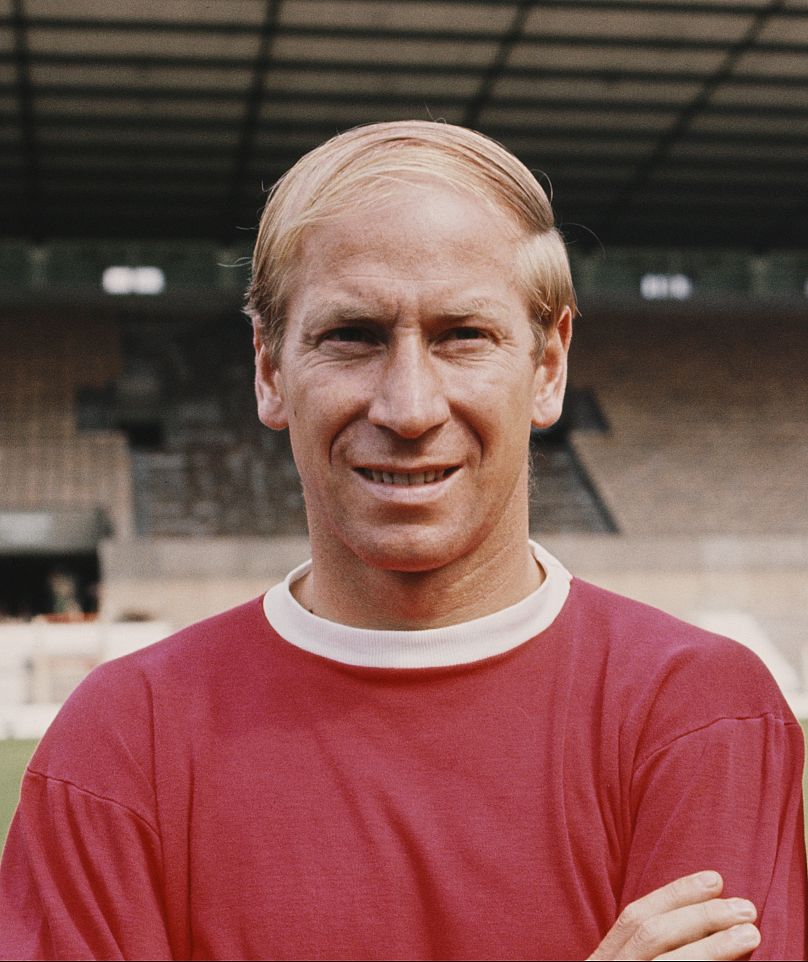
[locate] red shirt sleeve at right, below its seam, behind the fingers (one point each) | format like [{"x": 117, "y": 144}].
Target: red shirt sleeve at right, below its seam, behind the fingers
[{"x": 728, "y": 796}]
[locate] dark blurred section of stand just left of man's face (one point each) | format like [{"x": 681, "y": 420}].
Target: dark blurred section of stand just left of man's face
[{"x": 210, "y": 468}]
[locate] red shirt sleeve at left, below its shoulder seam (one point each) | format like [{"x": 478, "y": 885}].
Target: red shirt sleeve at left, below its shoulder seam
[{"x": 80, "y": 879}]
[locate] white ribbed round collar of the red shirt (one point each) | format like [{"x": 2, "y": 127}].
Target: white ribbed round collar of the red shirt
[{"x": 424, "y": 648}]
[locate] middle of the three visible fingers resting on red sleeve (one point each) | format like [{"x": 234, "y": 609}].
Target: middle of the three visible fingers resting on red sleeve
[{"x": 685, "y": 926}]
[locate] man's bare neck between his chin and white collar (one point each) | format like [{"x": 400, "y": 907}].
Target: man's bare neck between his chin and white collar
[{"x": 341, "y": 587}]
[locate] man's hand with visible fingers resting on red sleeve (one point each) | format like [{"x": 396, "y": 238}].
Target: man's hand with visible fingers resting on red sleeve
[{"x": 682, "y": 920}]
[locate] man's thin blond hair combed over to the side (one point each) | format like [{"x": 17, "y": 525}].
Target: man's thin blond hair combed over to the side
[{"x": 361, "y": 166}]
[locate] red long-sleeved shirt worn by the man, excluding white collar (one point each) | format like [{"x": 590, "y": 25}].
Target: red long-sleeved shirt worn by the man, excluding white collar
[{"x": 226, "y": 795}]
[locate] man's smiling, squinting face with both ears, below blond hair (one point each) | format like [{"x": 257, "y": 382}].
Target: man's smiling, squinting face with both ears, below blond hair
[{"x": 408, "y": 381}]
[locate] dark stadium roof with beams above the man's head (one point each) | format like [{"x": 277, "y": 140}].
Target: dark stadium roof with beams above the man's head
[{"x": 658, "y": 122}]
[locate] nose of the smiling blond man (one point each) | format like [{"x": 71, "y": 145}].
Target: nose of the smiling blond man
[{"x": 408, "y": 396}]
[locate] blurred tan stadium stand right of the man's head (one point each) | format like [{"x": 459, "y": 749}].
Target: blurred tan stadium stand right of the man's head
[{"x": 708, "y": 410}]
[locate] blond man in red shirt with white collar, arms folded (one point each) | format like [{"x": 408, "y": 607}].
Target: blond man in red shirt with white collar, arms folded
[{"x": 430, "y": 741}]
